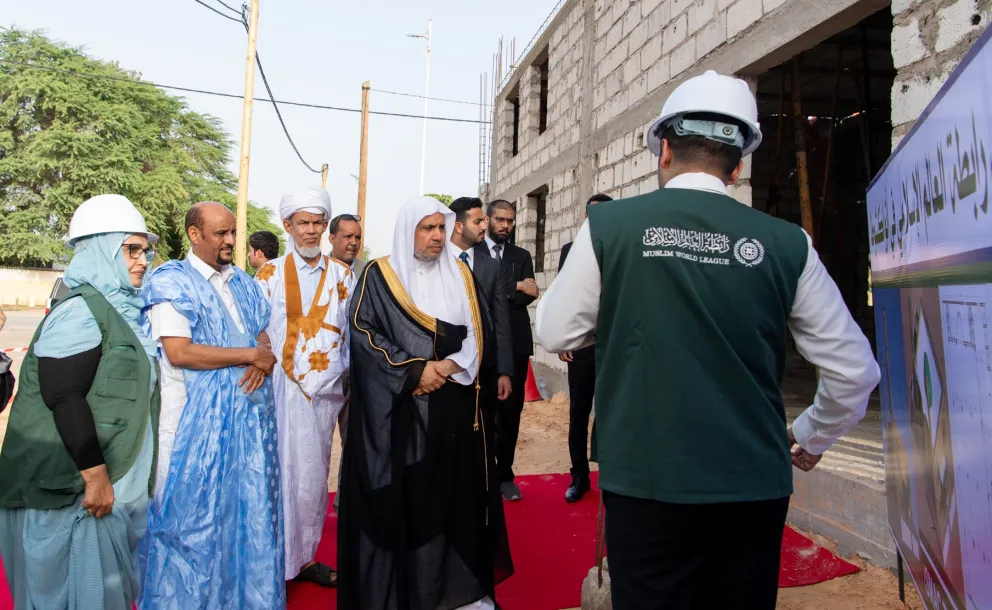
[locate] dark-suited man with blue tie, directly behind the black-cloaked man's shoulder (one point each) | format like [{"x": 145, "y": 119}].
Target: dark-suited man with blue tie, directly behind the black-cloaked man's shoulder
[{"x": 470, "y": 231}]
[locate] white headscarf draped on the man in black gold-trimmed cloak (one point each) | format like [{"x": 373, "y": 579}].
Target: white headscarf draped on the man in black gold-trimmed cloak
[{"x": 403, "y": 262}]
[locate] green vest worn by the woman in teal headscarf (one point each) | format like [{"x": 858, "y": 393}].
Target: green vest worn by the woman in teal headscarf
[{"x": 36, "y": 470}]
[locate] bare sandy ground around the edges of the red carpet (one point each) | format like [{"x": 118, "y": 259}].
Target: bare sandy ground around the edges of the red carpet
[{"x": 543, "y": 448}]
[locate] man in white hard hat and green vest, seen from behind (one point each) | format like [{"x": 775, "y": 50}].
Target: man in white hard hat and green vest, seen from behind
[{"x": 690, "y": 296}]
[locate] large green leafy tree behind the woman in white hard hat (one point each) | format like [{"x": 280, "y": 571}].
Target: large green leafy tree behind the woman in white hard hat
[{"x": 65, "y": 138}]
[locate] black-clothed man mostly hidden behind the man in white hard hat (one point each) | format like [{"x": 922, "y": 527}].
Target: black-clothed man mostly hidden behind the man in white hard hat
[{"x": 581, "y": 387}]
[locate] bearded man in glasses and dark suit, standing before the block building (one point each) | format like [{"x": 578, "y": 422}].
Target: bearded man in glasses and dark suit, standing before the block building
[{"x": 517, "y": 268}]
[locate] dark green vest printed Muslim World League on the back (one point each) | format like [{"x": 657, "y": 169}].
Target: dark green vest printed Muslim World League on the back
[{"x": 691, "y": 347}]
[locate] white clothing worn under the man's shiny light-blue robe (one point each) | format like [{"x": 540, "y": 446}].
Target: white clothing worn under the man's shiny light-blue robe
[{"x": 167, "y": 322}]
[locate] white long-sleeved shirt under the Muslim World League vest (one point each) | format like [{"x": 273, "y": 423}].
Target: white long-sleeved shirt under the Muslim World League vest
[{"x": 824, "y": 331}]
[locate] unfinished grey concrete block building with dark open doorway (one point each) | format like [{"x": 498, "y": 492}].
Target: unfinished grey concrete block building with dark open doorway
[{"x": 843, "y": 79}]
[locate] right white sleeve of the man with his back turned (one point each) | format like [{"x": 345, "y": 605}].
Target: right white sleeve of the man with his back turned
[{"x": 828, "y": 337}]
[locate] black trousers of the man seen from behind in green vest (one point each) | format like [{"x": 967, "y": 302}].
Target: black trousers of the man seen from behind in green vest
[{"x": 693, "y": 556}]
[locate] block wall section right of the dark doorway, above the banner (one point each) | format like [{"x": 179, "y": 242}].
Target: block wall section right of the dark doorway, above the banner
[{"x": 929, "y": 38}]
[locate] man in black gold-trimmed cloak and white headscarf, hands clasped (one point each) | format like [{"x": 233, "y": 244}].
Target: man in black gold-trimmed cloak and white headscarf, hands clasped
[{"x": 421, "y": 522}]
